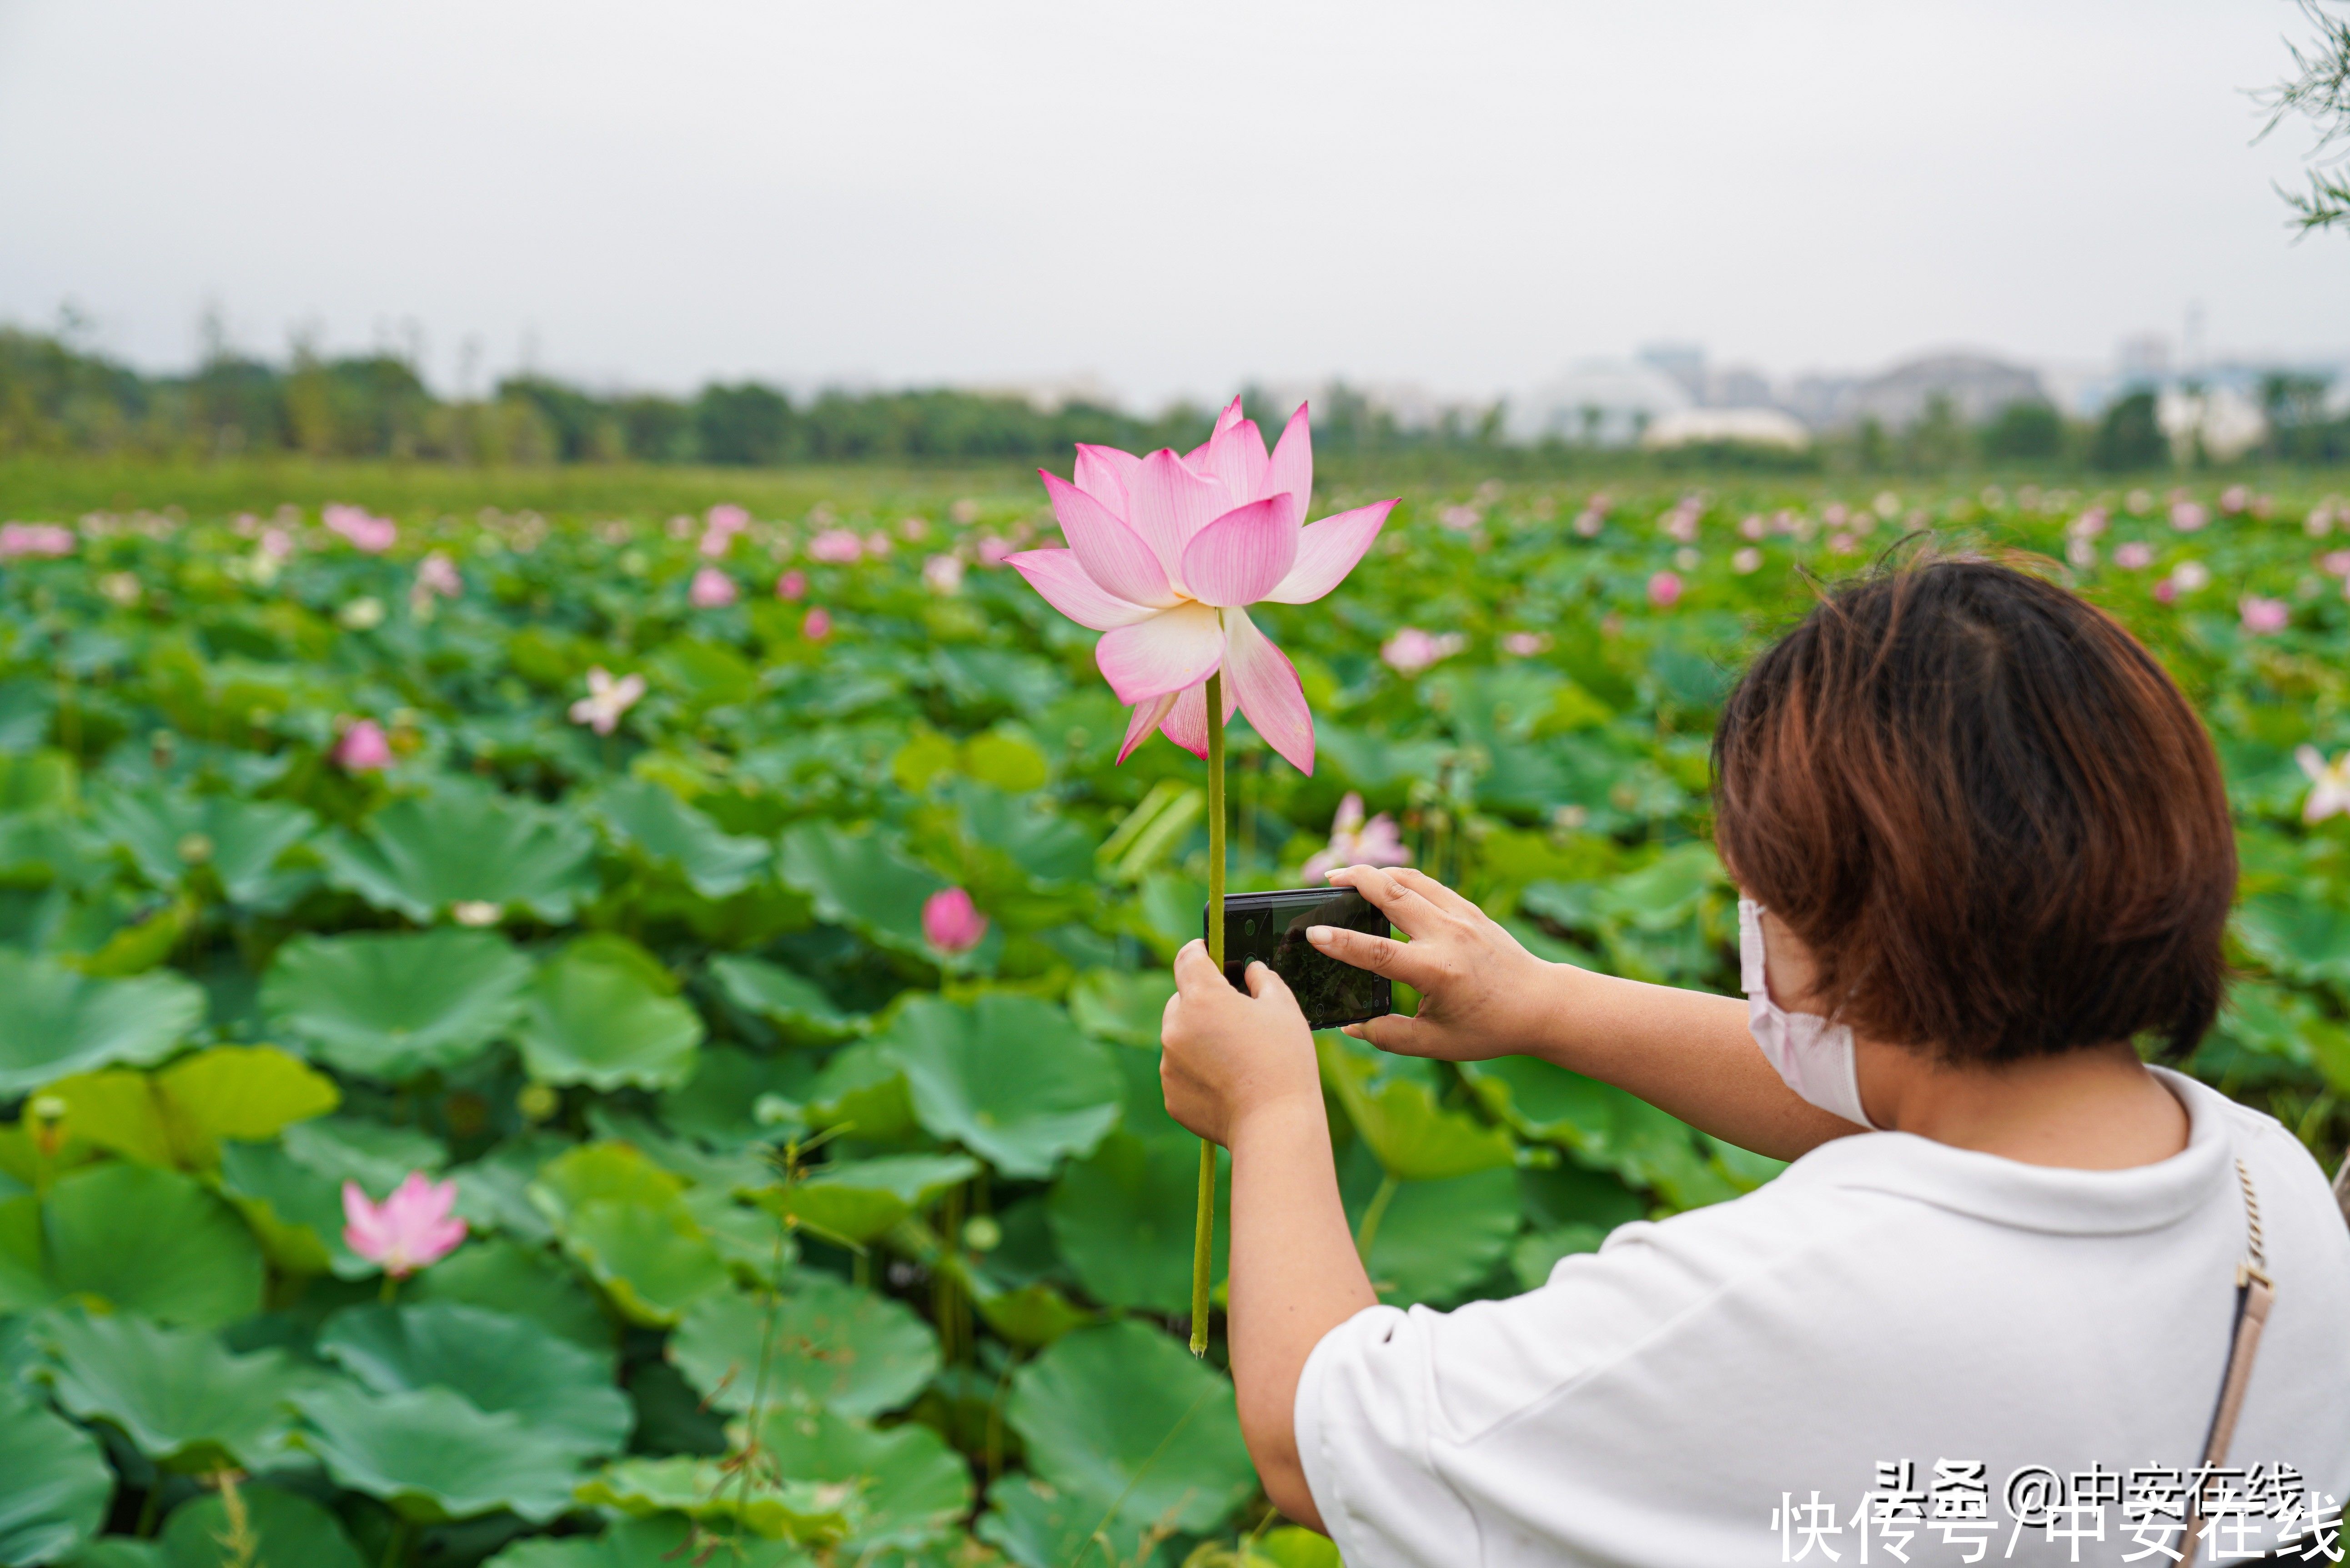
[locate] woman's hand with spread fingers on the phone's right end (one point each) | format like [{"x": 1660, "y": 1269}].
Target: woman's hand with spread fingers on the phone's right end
[{"x": 1482, "y": 993}]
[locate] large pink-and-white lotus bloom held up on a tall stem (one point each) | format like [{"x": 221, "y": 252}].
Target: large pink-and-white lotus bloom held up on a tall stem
[{"x": 1167, "y": 554}]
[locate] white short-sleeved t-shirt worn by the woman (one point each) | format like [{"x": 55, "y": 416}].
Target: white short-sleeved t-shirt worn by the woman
[{"x": 1886, "y": 1301}]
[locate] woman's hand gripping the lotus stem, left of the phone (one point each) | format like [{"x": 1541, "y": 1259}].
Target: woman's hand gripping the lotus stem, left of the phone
[{"x": 1228, "y": 1057}]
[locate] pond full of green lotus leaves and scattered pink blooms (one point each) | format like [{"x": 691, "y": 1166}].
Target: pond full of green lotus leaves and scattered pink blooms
[{"x": 600, "y": 871}]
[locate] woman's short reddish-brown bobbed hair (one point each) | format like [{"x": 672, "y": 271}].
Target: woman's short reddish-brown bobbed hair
[{"x": 1987, "y": 810}]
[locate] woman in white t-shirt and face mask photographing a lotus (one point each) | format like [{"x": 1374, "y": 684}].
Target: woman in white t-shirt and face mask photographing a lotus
[{"x": 1985, "y": 847}]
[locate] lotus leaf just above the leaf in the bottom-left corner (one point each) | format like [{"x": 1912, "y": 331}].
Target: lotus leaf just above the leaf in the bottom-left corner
[{"x": 182, "y": 1398}]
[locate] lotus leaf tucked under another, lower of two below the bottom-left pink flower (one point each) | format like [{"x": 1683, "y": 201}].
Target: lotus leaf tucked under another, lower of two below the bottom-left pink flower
[{"x": 434, "y": 1456}]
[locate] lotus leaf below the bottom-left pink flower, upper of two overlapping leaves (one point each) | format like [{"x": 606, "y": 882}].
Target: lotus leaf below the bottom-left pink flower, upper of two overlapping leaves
[{"x": 497, "y": 1362}]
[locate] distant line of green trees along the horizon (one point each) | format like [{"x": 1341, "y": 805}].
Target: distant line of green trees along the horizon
[{"x": 58, "y": 398}]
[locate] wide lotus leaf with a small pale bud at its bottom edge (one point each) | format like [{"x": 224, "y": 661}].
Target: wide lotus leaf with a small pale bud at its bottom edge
[{"x": 427, "y": 857}]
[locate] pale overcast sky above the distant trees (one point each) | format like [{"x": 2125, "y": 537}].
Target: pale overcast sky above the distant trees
[{"x": 1174, "y": 199}]
